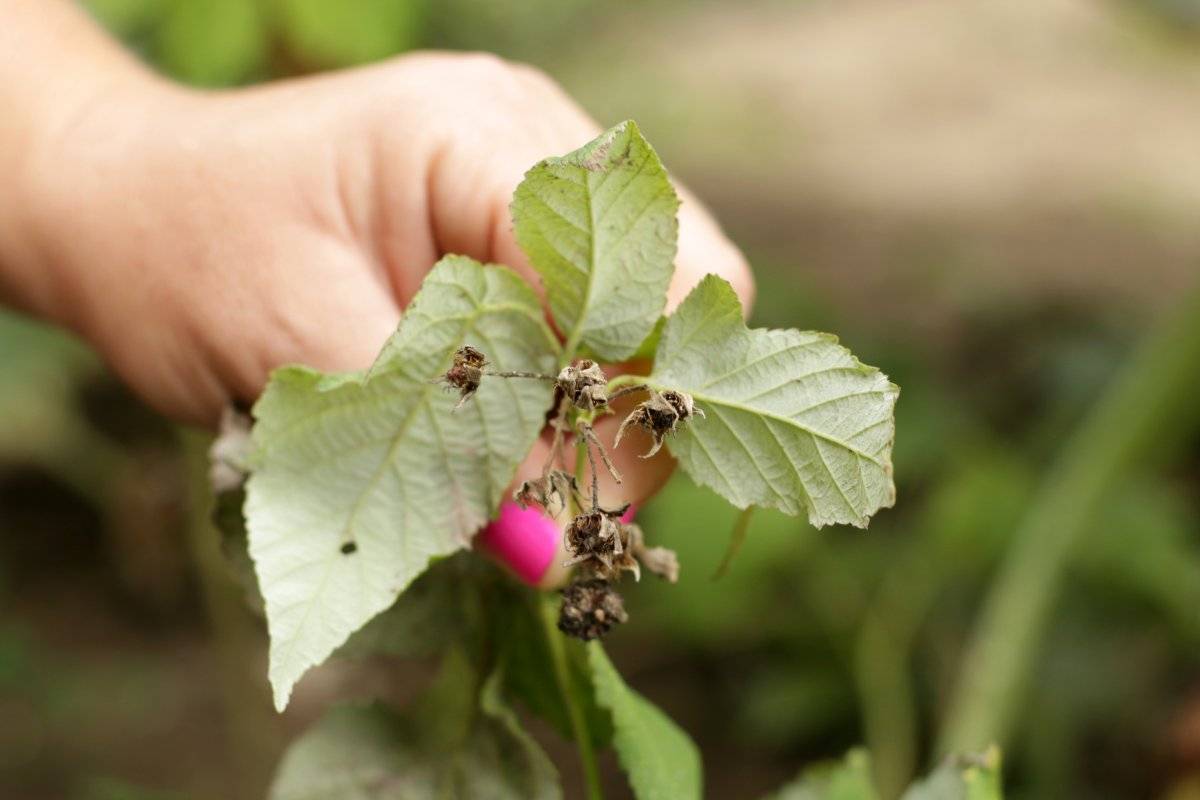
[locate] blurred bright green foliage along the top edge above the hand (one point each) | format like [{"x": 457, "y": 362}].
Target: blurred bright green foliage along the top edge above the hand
[{"x": 231, "y": 43}]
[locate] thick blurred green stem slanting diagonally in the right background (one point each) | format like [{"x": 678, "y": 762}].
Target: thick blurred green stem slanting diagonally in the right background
[{"x": 1151, "y": 407}]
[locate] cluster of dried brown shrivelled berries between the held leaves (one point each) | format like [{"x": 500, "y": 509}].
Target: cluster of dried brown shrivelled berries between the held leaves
[{"x": 598, "y": 540}]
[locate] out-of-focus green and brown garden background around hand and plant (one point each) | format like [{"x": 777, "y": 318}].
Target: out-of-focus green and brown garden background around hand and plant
[{"x": 993, "y": 202}]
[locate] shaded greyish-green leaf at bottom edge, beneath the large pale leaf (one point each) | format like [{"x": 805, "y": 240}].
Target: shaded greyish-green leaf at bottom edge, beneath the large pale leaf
[{"x": 445, "y": 747}]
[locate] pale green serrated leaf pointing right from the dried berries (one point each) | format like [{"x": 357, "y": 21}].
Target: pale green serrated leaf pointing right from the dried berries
[{"x": 794, "y": 422}]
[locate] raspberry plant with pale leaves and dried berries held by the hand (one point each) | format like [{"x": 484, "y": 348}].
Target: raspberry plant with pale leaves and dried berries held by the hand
[{"x": 365, "y": 489}]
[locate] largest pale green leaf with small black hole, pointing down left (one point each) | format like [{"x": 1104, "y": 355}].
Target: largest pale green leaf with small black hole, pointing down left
[{"x": 381, "y": 464}]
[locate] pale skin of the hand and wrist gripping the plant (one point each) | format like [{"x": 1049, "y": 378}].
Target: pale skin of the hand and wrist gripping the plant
[{"x": 199, "y": 240}]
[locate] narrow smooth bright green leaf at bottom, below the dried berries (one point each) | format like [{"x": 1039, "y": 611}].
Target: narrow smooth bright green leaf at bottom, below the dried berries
[{"x": 661, "y": 760}]
